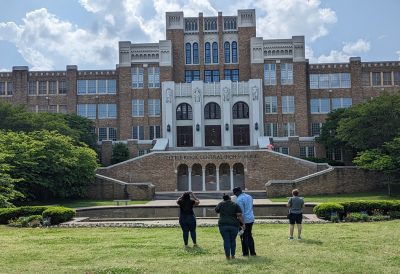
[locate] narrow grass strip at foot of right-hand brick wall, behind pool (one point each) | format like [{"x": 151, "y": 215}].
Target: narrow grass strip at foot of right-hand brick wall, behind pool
[{"x": 343, "y": 197}]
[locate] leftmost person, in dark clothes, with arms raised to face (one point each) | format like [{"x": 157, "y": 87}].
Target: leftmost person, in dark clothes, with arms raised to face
[{"x": 187, "y": 219}]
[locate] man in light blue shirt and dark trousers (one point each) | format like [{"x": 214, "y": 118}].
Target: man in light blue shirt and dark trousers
[{"x": 245, "y": 202}]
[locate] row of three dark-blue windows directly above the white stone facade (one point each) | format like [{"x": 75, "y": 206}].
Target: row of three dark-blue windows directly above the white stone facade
[{"x": 211, "y": 75}]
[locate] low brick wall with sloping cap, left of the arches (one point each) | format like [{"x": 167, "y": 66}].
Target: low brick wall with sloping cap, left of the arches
[{"x": 106, "y": 188}]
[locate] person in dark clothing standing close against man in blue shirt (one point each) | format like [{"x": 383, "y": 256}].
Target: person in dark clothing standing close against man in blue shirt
[{"x": 230, "y": 215}]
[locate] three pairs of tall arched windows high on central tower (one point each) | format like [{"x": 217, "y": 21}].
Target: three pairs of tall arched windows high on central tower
[{"x": 211, "y": 53}]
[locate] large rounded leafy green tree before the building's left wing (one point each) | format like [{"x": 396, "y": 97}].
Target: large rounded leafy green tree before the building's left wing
[{"x": 48, "y": 164}]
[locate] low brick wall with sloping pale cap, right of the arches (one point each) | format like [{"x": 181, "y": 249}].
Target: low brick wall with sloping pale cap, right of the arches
[{"x": 336, "y": 180}]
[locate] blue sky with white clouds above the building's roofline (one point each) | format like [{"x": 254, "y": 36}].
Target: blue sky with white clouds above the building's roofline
[{"x": 50, "y": 34}]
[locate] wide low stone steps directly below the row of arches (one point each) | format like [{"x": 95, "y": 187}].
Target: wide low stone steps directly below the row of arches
[{"x": 256, "y": 194}]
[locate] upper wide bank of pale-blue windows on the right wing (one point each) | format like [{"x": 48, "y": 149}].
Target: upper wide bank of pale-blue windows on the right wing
[{"x": 330, "y": 80}]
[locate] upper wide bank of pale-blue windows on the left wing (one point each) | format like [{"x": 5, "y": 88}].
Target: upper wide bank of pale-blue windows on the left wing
[{"x": 96, "y": 87}]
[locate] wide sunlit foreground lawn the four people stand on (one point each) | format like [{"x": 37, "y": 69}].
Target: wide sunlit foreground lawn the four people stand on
[{"x": 325, "y": 248}]
